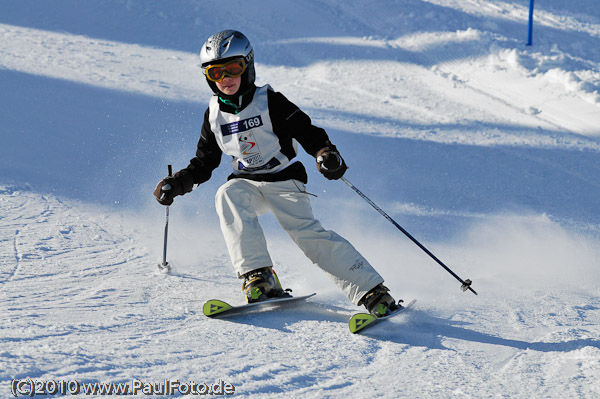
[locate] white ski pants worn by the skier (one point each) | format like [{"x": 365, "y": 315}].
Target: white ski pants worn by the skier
[{"x": 239, "y": 202}]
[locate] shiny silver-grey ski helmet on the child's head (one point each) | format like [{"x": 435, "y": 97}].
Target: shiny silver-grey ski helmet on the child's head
[{"x": 224, "y": 46}]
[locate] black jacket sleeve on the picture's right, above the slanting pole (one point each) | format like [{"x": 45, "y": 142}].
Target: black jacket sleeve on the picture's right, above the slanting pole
[{"x": 291, "y": 121}]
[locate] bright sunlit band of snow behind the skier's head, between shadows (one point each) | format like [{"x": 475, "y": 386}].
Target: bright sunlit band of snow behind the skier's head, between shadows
[{"x": 476, "y": 64}]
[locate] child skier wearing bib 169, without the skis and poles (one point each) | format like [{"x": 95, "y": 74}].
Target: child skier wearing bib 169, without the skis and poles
[{"x": 261, "y": 129}]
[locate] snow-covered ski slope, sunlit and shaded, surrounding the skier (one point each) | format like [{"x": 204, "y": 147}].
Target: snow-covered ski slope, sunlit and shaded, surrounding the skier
[{"x": 485, "y": 149}]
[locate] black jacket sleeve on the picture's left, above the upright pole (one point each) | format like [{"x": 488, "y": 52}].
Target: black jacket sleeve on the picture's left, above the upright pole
[{"x": 207, "y": 159}]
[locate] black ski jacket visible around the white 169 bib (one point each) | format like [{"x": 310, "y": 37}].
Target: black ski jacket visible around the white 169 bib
[{"x": 288, "y": 121}]
